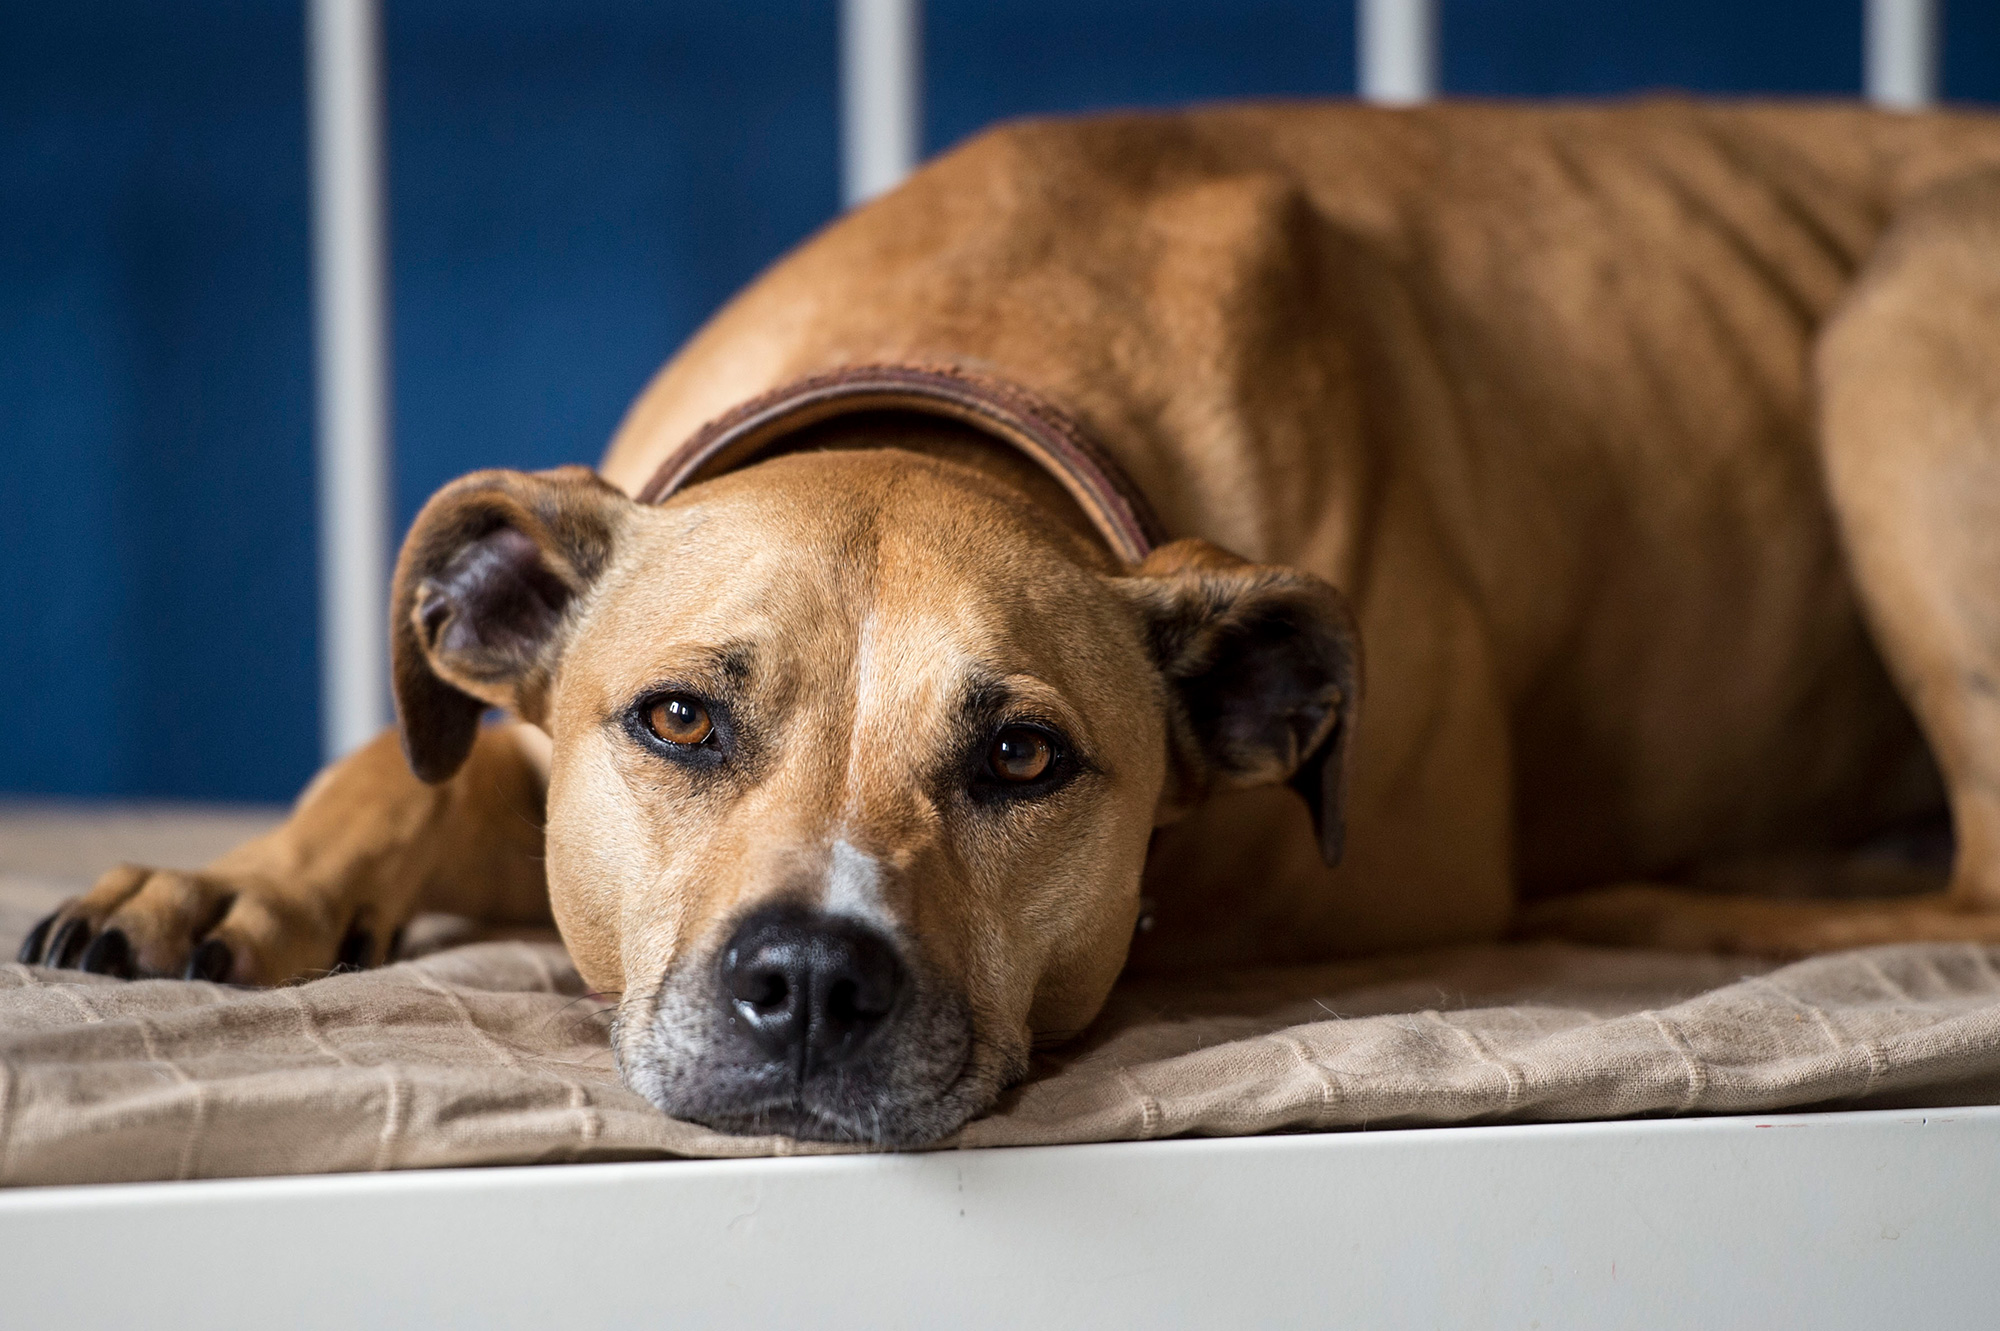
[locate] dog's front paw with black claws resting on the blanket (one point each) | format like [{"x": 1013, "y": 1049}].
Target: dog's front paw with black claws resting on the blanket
[{"x": 143, "y": 924}]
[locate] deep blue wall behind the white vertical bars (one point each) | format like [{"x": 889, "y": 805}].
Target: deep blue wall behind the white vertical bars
[{"x": 575, "y": 187}]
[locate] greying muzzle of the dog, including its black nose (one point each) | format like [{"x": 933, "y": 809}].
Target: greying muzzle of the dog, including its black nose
[{"x": 807, "y": 1024}]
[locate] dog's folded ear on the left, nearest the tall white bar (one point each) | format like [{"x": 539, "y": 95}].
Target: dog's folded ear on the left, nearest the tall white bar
[{"x": 483, "y": 591}]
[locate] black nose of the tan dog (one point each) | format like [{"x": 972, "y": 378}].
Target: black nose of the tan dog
[{"x": 805, "y": 988}]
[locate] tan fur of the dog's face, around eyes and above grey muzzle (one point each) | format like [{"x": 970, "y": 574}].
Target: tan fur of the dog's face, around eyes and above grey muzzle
[{"x": 829, "y": 573}]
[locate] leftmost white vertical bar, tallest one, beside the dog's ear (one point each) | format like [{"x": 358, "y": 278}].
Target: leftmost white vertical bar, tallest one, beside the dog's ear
[{"x": 351, "y": 337}]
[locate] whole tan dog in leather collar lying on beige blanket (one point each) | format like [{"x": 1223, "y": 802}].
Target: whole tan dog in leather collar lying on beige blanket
[{"x": 1639, "y": 441}]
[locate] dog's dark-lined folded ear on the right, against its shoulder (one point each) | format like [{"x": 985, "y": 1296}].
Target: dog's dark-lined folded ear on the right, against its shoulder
[{"x": 1265, "y": 668}]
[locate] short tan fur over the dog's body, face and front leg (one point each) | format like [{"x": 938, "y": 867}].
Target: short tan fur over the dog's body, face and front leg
[{"x": 1639, "y": 439}]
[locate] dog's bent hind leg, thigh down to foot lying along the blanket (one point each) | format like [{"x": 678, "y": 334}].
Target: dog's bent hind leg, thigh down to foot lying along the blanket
[{"x": 1909, "y": 379}]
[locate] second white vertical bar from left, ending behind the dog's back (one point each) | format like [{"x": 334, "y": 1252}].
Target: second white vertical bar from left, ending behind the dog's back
[{"x": 881, "y": 95}]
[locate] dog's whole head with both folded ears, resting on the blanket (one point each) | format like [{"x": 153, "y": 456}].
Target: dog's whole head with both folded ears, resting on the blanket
[{"x": 857, "y": 760}]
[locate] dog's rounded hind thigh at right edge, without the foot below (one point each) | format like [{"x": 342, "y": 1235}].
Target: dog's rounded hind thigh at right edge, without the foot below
[{"x": 1909, "y": 379}]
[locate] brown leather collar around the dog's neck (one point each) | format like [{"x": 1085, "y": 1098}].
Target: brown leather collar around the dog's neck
[{"x": 1003, "y": 411}]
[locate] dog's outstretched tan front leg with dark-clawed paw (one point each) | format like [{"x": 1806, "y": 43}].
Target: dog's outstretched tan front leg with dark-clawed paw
[{"x": 365, "y": 848}]
